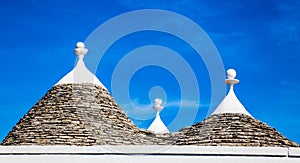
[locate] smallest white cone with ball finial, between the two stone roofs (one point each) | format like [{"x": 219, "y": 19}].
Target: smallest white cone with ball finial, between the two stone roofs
[{"x": 158, "y": 125}]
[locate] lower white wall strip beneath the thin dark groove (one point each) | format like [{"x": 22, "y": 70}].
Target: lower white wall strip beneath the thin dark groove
[{"x": 140, "y": 158}]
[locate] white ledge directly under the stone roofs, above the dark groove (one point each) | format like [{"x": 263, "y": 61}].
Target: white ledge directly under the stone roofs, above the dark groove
[{"x": 152, "y": 149}]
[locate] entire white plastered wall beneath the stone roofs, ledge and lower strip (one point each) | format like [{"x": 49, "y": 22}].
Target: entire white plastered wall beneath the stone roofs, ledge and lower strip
[{"x": 155, "y": 153}]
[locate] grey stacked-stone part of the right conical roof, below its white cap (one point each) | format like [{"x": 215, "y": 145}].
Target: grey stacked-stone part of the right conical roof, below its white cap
[{"x": 232, "y": 129}]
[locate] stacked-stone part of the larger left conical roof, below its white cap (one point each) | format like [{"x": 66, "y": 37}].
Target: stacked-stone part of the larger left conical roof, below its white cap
[{"x": 79, "y": 114}]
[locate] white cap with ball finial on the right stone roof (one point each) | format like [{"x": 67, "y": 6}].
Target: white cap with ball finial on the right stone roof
[{"x": 231, "y": 103}]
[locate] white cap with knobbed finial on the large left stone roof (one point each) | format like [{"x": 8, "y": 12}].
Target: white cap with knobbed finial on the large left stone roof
[{"x": 80, "y": 73}]
